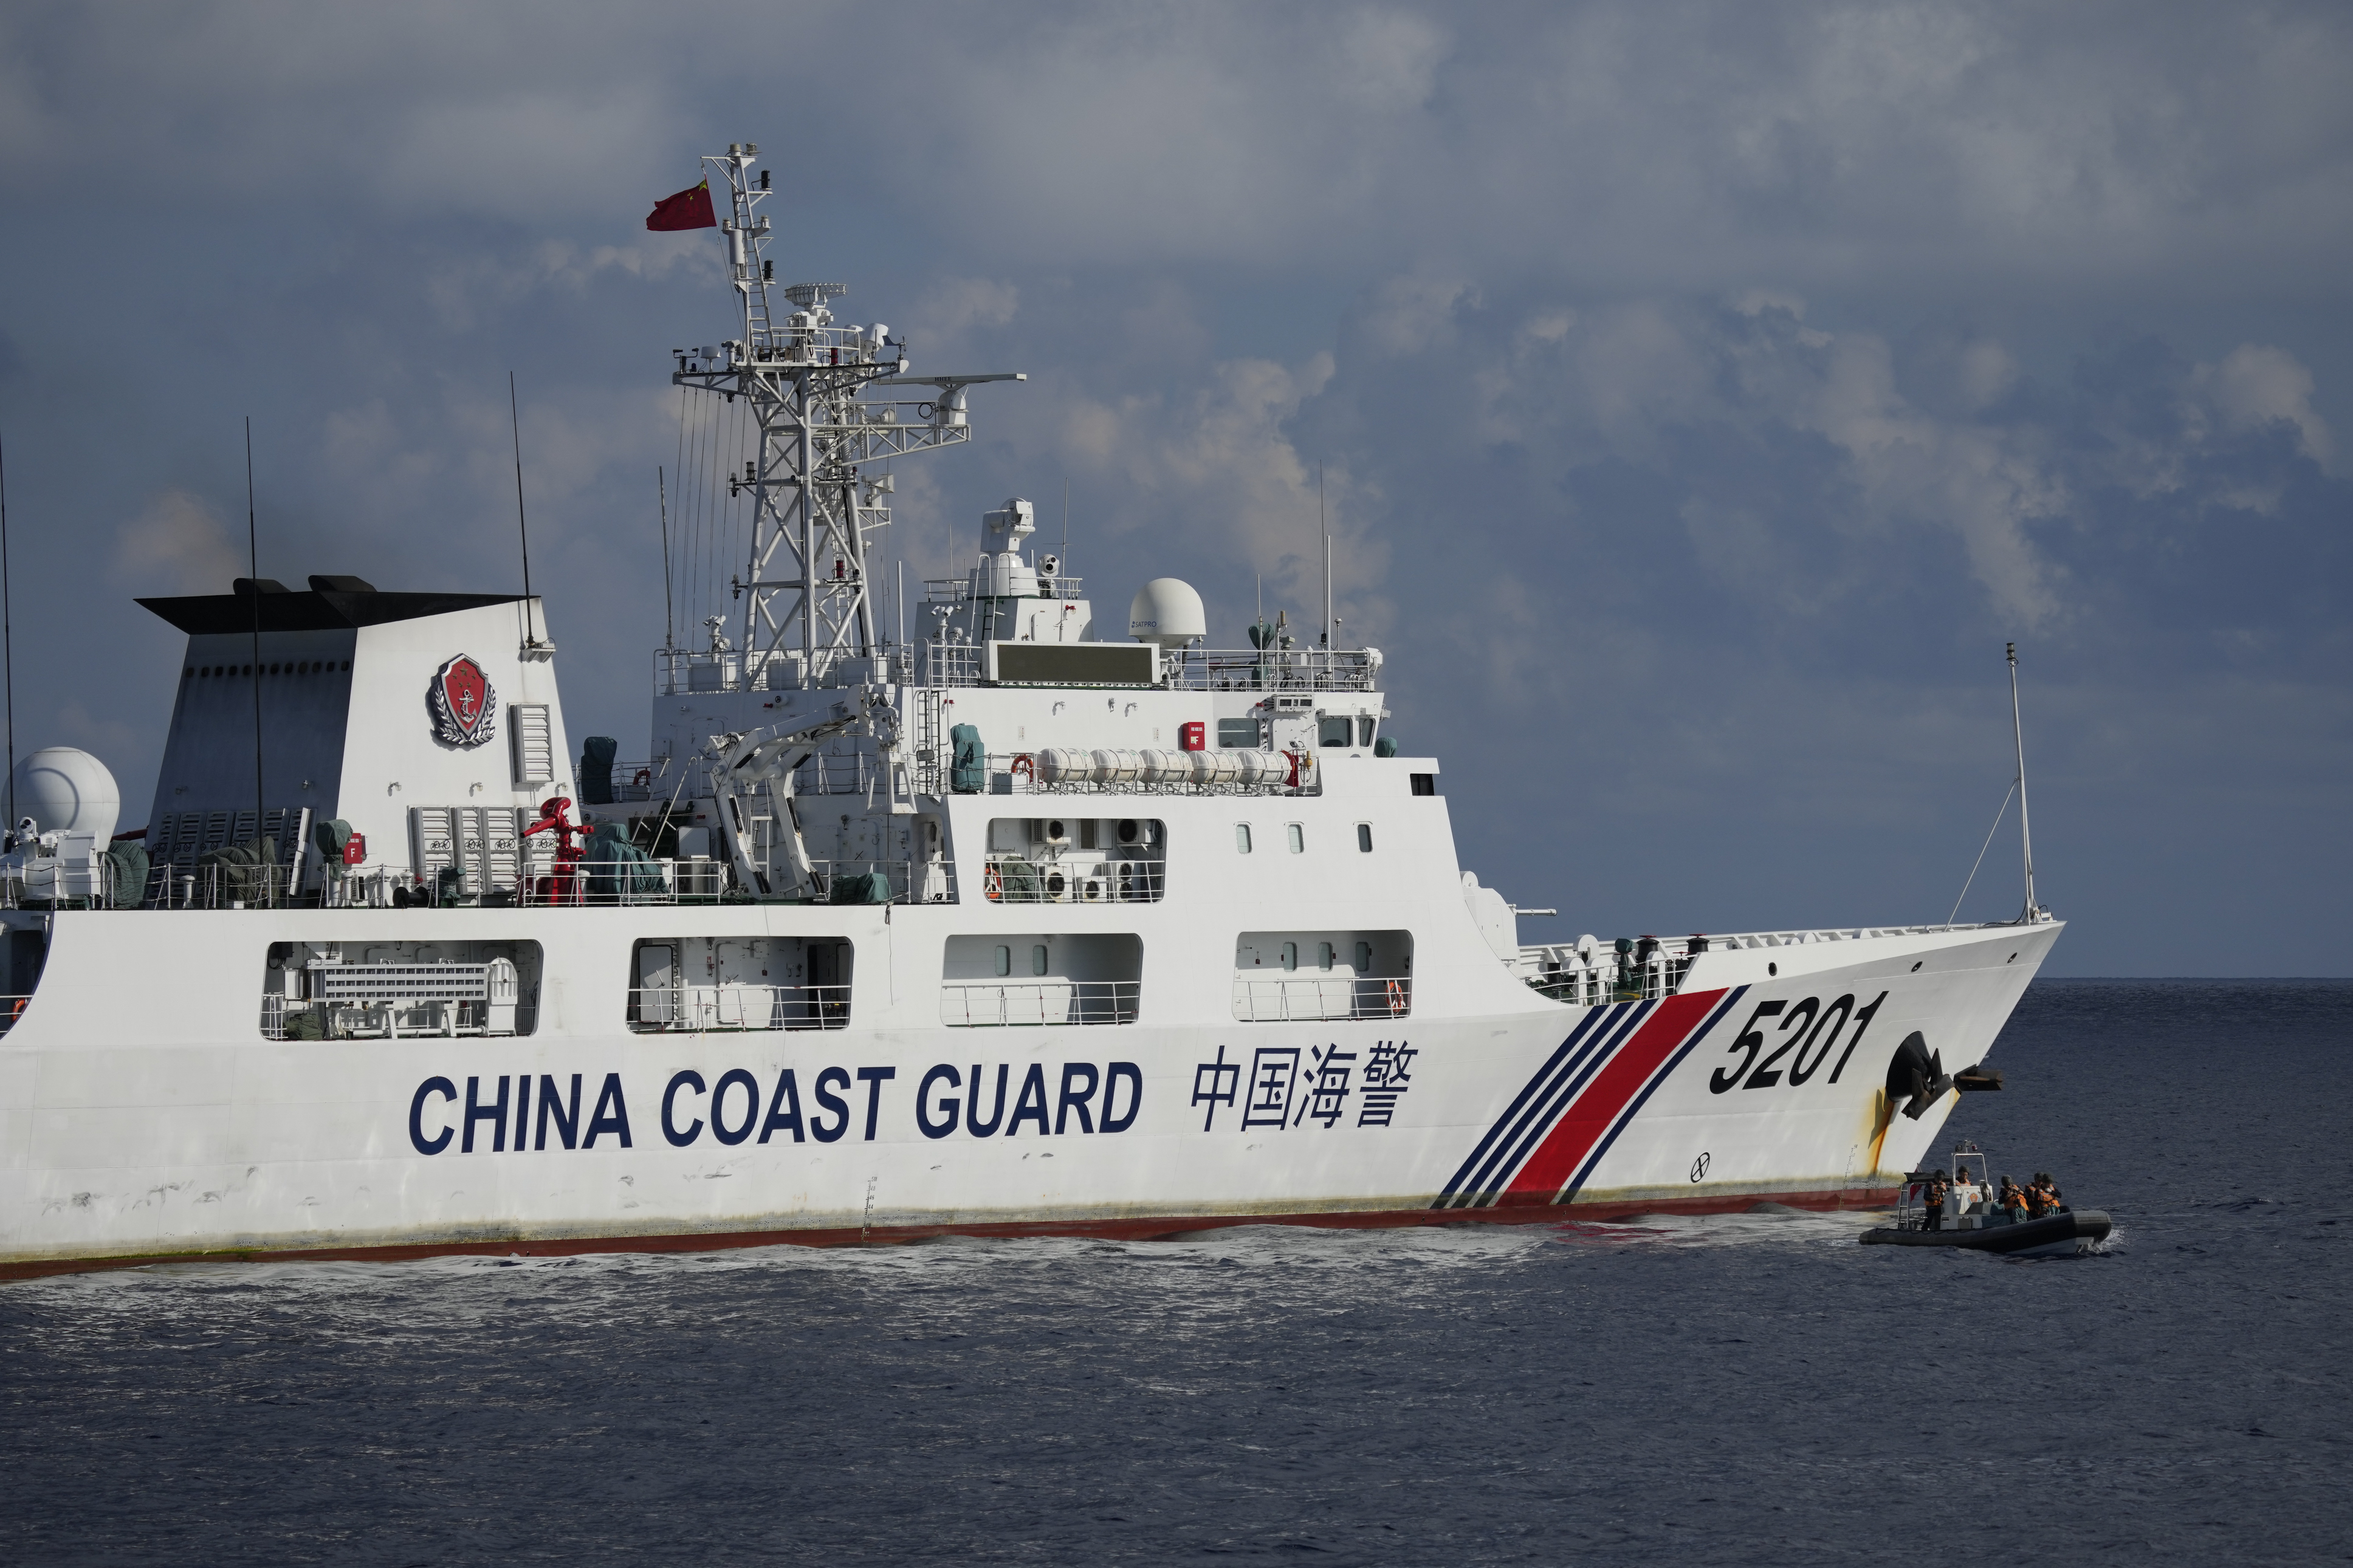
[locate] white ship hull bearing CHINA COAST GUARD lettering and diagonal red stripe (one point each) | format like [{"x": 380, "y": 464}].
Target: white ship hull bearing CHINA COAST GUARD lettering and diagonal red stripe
[{"x": 1493, "y": 1106}]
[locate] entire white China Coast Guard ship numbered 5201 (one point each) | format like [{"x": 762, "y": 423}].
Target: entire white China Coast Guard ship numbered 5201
[{"x": 1020, "y": 925}]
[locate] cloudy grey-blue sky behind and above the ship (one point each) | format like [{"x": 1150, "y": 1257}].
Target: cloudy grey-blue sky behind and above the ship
[{"x": 1700, "y": 396}]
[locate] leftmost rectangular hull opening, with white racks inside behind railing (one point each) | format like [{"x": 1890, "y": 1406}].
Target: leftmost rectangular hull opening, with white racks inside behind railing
[{"x": 399, "y": 991}]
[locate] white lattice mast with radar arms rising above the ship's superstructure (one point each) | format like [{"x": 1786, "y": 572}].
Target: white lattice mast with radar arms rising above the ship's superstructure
[{"x": 808, "y": 612}]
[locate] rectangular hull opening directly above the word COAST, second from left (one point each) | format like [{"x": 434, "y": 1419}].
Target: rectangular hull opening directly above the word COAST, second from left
[{"x": 702, "y": 984}]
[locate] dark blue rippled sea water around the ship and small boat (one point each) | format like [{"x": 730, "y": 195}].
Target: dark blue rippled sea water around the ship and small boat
[{"x": 1742, "y": 1391}]
